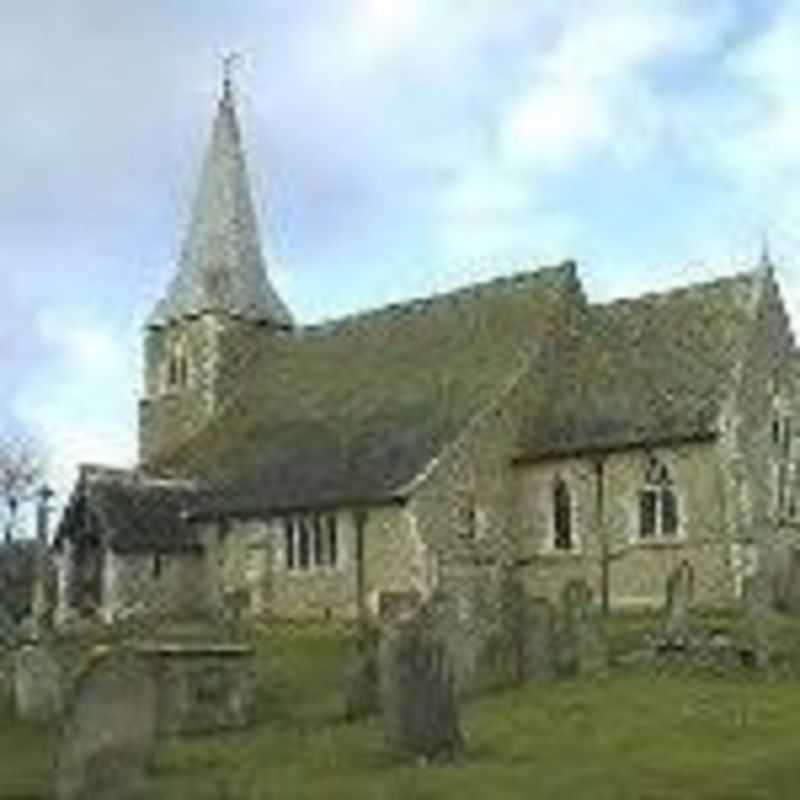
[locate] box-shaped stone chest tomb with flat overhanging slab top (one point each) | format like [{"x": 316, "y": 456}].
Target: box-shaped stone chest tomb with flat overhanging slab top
[{"x": 202, "y": 687}]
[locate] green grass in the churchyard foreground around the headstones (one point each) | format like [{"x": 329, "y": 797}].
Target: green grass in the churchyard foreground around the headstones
[{"x": 631, "y": 737}]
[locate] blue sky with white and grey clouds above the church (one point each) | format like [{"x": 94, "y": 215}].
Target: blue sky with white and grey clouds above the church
[{"x": 395, "y": 149}]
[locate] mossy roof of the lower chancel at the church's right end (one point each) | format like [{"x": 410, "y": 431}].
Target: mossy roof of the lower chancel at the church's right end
[{"x": 648, "y": 370}]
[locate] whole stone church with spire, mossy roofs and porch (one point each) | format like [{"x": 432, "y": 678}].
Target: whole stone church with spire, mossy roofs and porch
[{"x": 298, "y": 471}]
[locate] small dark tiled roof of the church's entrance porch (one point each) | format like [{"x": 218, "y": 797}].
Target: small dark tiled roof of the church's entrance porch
[{"x": 129, "y": 512}]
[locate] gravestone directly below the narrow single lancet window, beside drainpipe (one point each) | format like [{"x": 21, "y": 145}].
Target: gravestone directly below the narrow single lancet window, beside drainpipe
[{"x": 581, "y": 646}]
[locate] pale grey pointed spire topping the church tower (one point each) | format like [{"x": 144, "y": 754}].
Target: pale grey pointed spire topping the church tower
[{"x": 221, "y": 266}]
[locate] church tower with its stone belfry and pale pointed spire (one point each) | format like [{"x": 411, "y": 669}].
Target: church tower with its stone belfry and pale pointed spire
[{"x": 201, "y": 334}]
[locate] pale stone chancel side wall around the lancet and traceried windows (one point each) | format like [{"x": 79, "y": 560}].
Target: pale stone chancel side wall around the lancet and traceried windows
[{"x": 605, "y": 499}]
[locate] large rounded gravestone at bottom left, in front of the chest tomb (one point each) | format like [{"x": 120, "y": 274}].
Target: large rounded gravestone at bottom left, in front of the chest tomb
[{"x": 107, "y": 738}]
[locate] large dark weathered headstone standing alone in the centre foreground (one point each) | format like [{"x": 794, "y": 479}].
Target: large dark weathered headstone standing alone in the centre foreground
[{"x": 418, "y": 696}]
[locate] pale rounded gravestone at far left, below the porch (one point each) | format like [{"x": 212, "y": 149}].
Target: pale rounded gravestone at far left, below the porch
[{"x": 39, "y": 683}]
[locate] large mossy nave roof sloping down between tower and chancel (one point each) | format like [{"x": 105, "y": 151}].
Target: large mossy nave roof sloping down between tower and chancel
[{"x": 351, "y": 411}]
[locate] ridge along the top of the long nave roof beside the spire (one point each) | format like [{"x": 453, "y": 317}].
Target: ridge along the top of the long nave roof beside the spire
[{"x": 420, "y": 304}]
